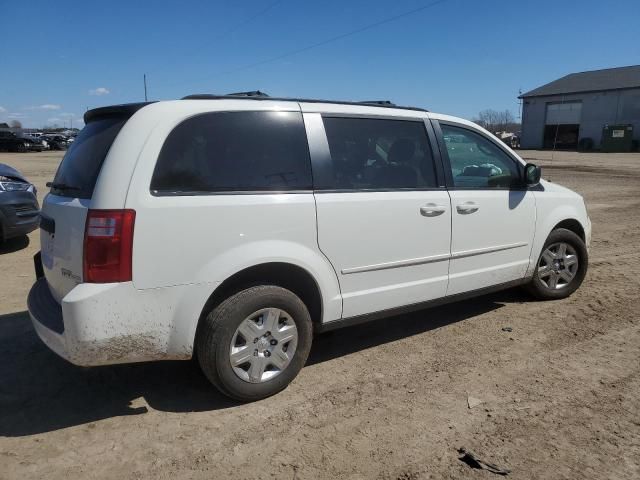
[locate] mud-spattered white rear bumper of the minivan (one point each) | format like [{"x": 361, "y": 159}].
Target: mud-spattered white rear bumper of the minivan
[{"x": 103, "y": 324}]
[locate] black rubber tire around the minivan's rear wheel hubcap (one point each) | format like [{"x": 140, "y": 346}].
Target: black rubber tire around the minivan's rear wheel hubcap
[{"x": 215, "y": 334}]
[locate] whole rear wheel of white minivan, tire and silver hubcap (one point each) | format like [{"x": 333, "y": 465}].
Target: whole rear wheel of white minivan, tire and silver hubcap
[{"x": 253, "y": 344}]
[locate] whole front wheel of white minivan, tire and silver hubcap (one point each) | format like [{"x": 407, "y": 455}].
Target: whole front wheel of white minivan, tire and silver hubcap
[{"x": 561, "y": 267}]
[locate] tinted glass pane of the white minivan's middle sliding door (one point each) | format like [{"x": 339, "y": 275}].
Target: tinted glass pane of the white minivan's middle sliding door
[{"x": 369, "y": 154}]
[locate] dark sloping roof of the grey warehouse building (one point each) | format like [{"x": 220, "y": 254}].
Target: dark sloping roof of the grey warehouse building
[{"x": 593, "y": 81}]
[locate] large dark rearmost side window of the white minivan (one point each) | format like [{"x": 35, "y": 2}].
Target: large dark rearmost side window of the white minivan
[{"x": 235, "y": 151}]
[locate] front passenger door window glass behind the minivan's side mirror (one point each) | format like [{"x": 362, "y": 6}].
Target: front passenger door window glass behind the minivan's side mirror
[{"x": 477, "y": 162}]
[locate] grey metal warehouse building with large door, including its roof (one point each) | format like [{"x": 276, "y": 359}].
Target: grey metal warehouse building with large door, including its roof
[{"x": 579, "y": 106}]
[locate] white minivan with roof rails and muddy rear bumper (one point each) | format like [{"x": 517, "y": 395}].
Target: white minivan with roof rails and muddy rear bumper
[{"x": 234, "y": 227}]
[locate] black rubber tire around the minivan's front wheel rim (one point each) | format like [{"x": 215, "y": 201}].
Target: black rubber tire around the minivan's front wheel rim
[{"x": 541, "y": 291}]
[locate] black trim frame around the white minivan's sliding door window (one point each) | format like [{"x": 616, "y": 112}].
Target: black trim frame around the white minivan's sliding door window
[{"x": 321, "y": 161}]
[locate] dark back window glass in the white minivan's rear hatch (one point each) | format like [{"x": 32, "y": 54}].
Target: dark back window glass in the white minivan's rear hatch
[{"x": 79, "y": 169}]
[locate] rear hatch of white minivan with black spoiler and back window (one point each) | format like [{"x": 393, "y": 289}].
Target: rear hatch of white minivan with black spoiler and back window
[{"x": 64, "y": 210}]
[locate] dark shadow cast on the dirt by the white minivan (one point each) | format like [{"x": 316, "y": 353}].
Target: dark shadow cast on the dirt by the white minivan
[{"x": 40, "y": 392}]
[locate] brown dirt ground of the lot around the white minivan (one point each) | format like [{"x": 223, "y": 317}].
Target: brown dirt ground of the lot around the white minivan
[{"x": 560, "y": 393}]
